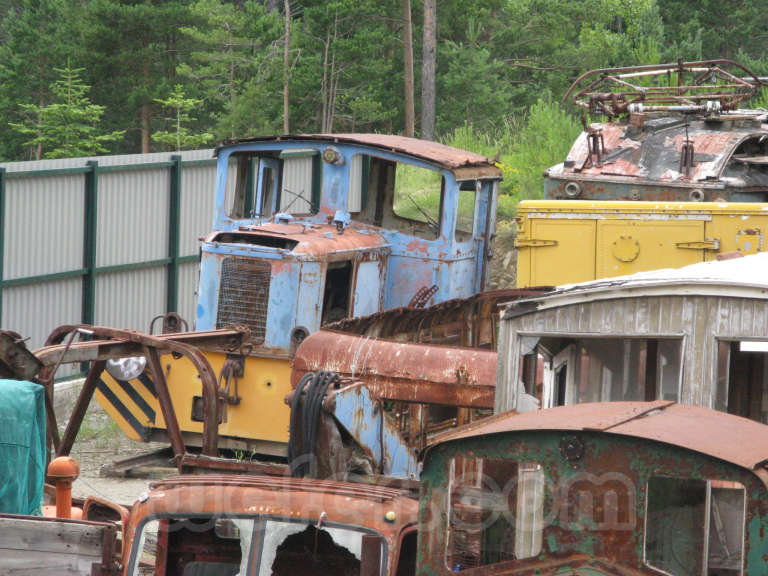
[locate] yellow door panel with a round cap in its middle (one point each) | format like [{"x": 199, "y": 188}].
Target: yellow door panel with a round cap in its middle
[{"x": 629, "y": 246}]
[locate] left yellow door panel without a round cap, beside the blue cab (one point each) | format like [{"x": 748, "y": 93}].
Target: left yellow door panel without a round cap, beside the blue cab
[{"x": 570, "y": 259}]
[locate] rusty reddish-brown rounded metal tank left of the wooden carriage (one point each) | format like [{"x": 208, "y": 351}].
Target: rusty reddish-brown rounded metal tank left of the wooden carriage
[{"x": 403, "y": 371}]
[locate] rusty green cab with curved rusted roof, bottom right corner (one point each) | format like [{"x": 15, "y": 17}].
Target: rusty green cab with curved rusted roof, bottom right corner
[{"x": 611, "y": 488}]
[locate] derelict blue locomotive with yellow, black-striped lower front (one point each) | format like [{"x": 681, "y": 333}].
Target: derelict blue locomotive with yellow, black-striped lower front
[{"x": 308, "y": 230}]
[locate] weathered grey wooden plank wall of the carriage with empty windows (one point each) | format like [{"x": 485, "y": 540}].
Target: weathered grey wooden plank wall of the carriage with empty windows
[{"x": 700, "y": 321}]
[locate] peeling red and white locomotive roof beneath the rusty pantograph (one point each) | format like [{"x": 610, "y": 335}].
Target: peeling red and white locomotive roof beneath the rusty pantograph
[{"x": 652, "y": 153}]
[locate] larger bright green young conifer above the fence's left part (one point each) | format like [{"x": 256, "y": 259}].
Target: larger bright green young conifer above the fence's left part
[{"x": 69, "y": 125}]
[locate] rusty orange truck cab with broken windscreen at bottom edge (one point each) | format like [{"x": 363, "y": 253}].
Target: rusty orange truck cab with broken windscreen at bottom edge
[{"x": 253, "y": 525}]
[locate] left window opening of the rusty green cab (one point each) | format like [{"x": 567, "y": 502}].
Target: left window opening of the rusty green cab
[{"x": 495, "y": 511}]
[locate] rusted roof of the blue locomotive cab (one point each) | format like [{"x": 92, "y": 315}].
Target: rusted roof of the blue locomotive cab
[{"x": 433, "y": 152}]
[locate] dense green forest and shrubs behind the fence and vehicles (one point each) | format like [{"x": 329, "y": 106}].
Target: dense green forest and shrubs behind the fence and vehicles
[{"x": 264, "y": 66}]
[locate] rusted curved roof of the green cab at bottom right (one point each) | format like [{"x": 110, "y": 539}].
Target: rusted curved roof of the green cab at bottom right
[{"x": 702, "y": 430}]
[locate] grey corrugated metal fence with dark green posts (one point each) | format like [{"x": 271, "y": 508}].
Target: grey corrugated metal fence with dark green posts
[{"x": 45, "y": 252}]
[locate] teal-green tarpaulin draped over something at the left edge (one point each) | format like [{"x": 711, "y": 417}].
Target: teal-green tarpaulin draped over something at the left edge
[{"x": 22, "y": 446}]
